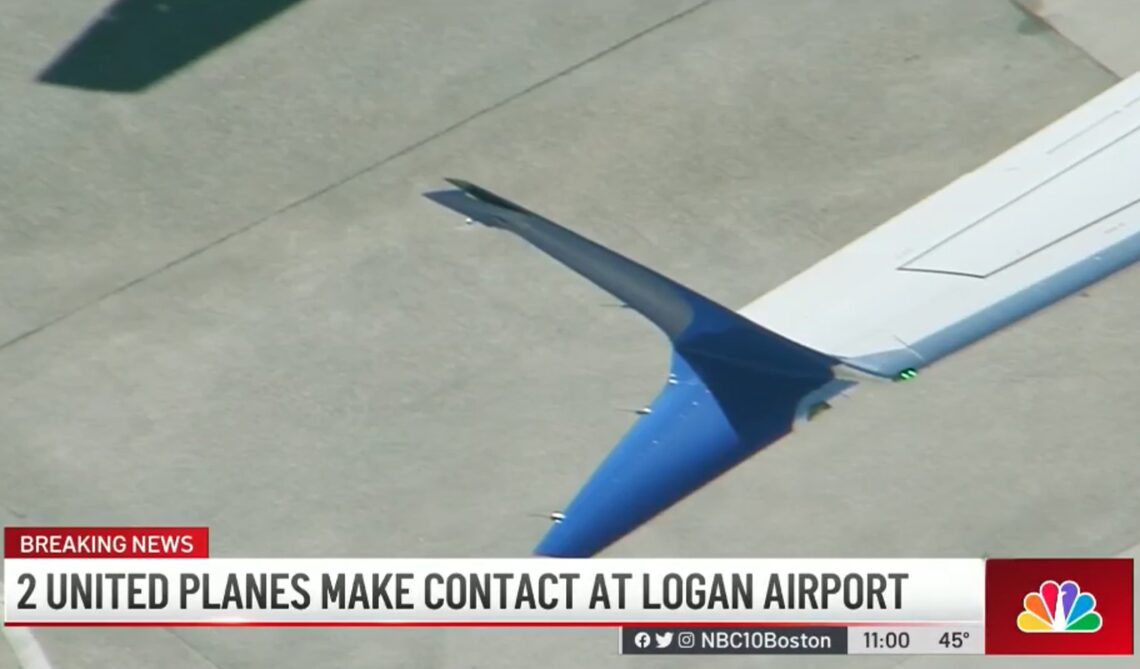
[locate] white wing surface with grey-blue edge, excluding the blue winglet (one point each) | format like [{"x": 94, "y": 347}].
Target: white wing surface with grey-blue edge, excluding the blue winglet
[{"x": 1048, "y": 218}]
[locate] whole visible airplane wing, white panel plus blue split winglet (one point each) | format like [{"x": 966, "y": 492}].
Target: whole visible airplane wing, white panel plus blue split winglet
[{"x": 1048, "y": 218}]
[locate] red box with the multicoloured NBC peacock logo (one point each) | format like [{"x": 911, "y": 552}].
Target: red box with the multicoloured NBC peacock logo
[{"x": 1052, "y": 607}]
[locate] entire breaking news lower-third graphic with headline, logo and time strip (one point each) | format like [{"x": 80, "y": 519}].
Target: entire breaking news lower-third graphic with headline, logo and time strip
[{"x": 165, "y": 577}]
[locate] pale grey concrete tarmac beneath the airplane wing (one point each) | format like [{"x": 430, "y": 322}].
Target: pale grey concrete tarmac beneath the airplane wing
[{"x": 226, "y": 304}]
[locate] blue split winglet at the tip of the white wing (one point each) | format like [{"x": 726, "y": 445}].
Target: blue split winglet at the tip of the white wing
[{"x": 736, "y": 386}]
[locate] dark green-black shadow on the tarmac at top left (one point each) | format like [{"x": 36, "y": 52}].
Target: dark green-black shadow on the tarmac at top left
[{"x": 135, "y": 44}]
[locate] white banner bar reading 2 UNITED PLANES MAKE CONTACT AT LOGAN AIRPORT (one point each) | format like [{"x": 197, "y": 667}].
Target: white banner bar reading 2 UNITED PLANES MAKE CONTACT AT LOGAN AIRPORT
[{"x": 492, "y": 592}]
